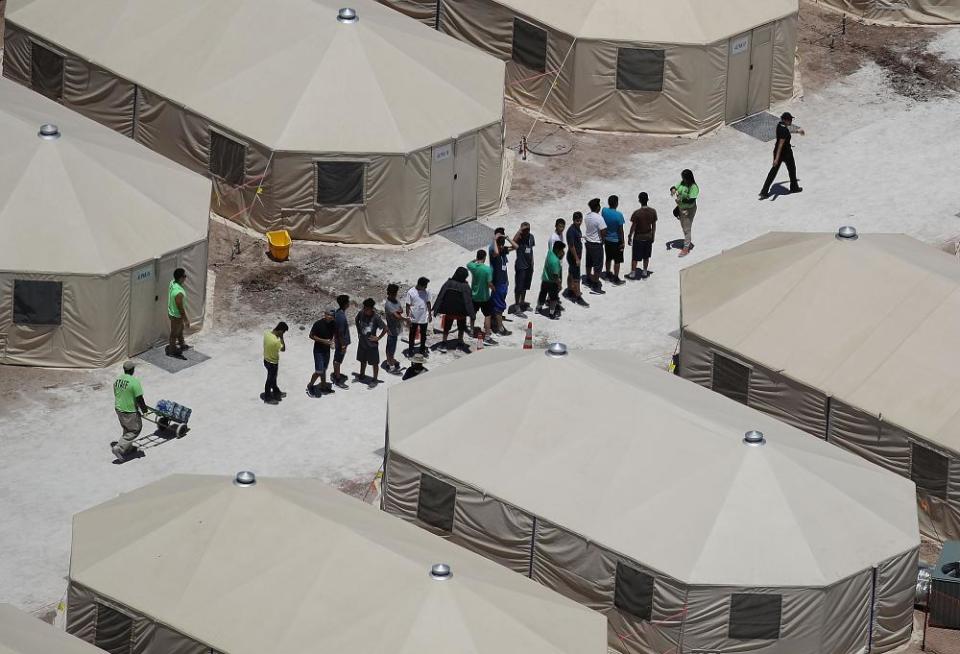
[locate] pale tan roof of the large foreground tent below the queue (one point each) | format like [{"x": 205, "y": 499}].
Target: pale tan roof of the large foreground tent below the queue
[{"x": 654, "y": 467}]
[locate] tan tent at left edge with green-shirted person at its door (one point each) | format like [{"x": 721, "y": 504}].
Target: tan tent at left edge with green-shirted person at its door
[{"x": 93, "y": 227}]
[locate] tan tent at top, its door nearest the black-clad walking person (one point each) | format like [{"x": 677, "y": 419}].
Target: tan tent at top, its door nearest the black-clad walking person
[{"x": 659, "y": 66}]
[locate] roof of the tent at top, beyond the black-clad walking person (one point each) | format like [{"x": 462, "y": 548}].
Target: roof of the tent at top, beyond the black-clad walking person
[{"x": 656, "y": 21}]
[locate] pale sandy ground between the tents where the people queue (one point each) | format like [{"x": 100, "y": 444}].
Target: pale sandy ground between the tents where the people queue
[{"x": 881, "y": 121}]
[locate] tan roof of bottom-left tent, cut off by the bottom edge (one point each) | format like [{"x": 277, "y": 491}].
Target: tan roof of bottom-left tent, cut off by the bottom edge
[{"x": 294, "y": 566}]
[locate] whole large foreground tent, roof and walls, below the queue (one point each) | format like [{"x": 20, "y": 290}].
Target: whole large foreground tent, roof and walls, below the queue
[{"x": 633, "y": 491}]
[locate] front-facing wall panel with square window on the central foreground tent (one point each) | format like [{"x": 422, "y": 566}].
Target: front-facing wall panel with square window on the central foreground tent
[{"x": 707, "y": 623}]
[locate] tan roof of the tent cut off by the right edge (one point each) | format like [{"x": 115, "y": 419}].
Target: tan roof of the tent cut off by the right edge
[{"x": 872, "y": 322}]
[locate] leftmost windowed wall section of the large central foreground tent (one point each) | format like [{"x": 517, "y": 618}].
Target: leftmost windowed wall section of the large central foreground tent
[{"x": 481, "y": 523}]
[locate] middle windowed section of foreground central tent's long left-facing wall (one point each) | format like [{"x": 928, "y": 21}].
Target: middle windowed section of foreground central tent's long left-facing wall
[{"x": 586, "y": 573}]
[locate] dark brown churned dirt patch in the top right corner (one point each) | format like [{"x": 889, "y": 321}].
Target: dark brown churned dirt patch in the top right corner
[{"x": 832, "y": 46}]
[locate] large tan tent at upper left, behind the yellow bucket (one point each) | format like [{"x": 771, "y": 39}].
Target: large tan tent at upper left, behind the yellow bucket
[{"x": 365, "y": 128}]
